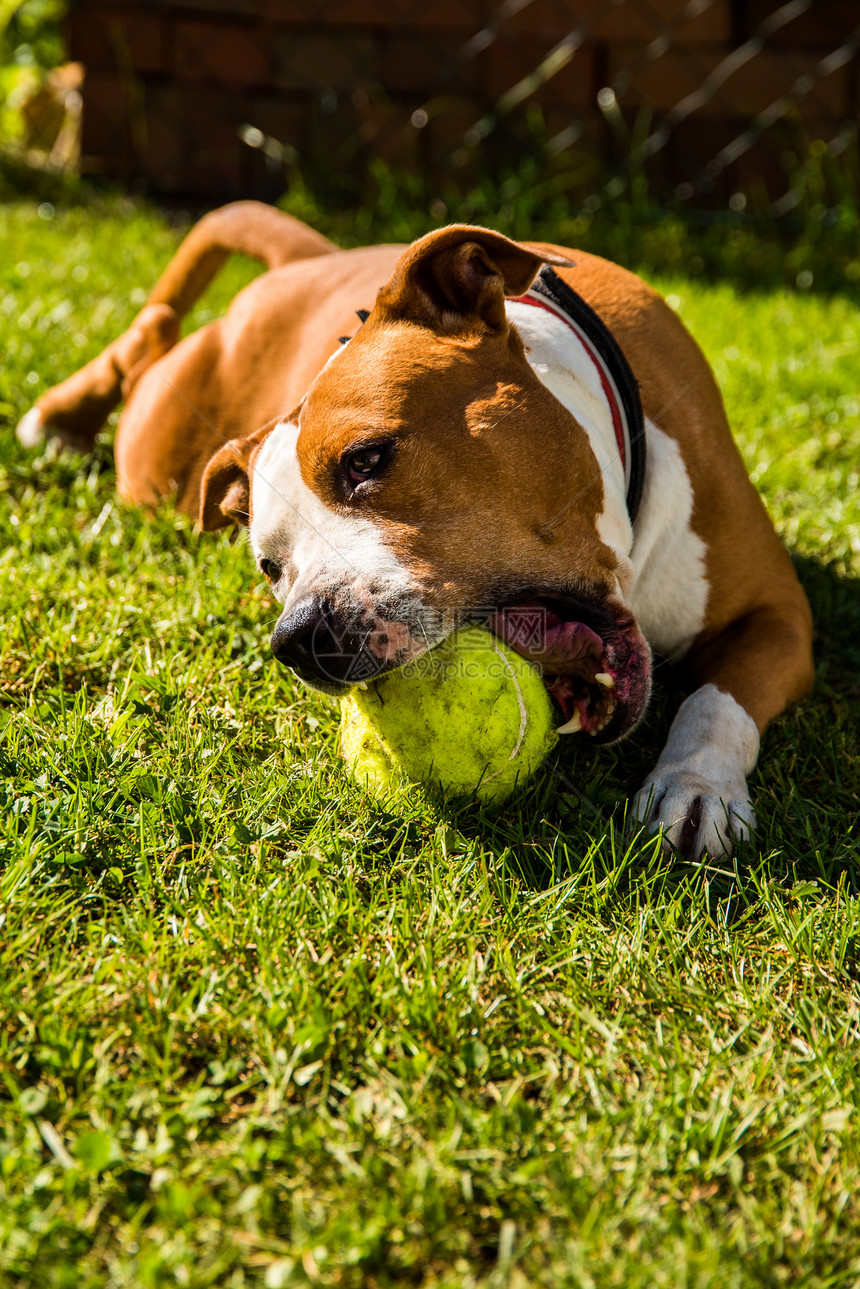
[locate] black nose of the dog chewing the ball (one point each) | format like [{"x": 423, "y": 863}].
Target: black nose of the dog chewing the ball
[{"x": 322, "y": 650}]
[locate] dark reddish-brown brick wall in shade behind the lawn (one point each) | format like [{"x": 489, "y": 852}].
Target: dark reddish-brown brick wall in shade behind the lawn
[{"x": 172, "y": 83}]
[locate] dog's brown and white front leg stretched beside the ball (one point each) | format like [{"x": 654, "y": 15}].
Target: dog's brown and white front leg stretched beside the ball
[{"x": 698, "y": 793}]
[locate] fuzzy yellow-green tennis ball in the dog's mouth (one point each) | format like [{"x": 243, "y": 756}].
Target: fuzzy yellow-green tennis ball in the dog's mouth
[{"x": 469, "y": 719}]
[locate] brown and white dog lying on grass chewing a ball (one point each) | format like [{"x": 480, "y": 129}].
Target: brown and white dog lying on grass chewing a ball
[{"x": 461, "y": 454}]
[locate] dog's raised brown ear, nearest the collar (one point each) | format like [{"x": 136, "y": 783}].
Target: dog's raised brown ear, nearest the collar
[{"x": 460, "y": 276}]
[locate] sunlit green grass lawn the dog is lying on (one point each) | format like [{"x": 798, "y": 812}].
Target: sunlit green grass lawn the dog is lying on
[{"x": 256, "y": 1031}]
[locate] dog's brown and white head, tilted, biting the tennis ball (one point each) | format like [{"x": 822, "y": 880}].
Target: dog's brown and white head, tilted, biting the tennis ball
[{"x": 427, "y": 479}]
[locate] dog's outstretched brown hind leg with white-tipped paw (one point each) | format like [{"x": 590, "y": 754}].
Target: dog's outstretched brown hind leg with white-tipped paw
[{"x": 75, "y": 411}]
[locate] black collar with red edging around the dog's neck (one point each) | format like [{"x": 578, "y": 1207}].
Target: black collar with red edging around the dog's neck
[{"x": 549, "y": 292}]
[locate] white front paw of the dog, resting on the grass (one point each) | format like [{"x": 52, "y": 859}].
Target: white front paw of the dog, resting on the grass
[{"x": 696, "y": 817}]
